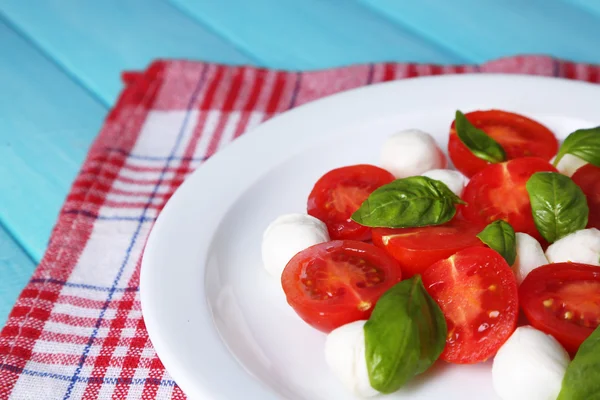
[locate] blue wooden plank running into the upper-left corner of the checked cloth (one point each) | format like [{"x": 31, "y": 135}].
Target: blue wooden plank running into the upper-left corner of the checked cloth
[{"x": 96, "y": 40}]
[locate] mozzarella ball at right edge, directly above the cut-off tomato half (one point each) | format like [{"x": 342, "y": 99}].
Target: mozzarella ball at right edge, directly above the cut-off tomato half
[{"x": 582, "y": 246}]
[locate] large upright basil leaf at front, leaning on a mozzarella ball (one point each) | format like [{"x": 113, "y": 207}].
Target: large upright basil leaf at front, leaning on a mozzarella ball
[{"x": 404, "y": 336}]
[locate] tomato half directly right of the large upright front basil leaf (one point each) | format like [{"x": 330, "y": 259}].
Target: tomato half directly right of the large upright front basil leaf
[{"x": 477, "y": 292}]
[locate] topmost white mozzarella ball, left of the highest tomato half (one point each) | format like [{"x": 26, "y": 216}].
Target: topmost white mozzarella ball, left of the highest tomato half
[{"x": 410, "y": 153}]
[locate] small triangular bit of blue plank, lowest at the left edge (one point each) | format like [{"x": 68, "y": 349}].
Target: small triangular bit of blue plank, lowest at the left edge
[{"x": 15, "y": 270}]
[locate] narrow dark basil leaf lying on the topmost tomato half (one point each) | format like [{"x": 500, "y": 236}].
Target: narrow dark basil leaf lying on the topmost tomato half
[{"x": 476, "y": 140}]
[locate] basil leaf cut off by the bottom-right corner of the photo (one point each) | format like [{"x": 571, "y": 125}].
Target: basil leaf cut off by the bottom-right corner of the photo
[{"x": 582, "y": 379}]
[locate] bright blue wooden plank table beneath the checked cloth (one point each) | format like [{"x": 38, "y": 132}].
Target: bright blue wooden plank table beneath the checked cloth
[{"x": 60, "y": 64}]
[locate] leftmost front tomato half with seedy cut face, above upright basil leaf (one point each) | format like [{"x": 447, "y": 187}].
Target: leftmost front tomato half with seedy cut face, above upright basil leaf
[{"x": 334, "y": 283}]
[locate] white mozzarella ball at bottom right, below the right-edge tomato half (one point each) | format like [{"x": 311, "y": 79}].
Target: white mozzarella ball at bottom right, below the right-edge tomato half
[{"x": 529, "y": 366}]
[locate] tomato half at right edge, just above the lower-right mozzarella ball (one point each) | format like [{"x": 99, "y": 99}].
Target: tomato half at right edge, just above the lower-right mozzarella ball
[{"x": 563, "y": 300}]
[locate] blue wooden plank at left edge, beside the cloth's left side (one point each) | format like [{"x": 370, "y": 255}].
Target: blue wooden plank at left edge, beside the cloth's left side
[{"x": 47, "y": 123}]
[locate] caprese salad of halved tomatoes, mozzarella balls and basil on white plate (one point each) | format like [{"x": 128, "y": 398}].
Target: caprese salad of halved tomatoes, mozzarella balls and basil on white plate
[{"x": 410, "y": 262}]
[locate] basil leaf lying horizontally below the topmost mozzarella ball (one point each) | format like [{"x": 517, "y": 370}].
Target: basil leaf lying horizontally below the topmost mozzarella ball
[{"x": 409, "y": 202}]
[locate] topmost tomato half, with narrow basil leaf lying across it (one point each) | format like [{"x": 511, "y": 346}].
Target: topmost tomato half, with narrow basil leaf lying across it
[{"x": 519, "y": 136}]
